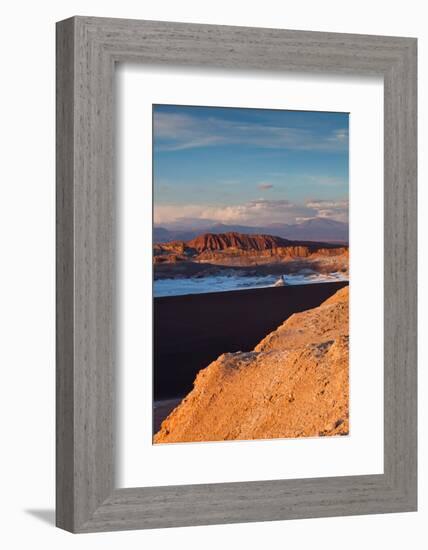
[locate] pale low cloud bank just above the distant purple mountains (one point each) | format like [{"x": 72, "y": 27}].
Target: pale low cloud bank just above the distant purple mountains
[{"x": 256, "y": 212}]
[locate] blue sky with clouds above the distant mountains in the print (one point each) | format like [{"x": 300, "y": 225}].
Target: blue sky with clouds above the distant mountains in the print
[{"x": 248, "y": 166}]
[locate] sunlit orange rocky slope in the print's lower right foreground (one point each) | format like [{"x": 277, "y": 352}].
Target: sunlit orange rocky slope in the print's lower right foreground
[{"x": 294, "y": 384}]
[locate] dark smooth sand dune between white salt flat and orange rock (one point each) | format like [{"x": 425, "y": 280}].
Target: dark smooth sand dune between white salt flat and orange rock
[{"x": 192, "y": 331}]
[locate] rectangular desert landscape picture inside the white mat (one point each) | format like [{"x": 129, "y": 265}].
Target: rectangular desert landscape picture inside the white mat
[{"x": 238, "y": 251}]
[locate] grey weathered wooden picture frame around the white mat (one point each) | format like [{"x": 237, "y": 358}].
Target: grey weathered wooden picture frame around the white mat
[{"x": 87, "y": 50}]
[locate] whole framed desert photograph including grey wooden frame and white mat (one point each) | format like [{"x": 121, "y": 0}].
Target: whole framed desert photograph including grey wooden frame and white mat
[{"x": 236, "y": 274}]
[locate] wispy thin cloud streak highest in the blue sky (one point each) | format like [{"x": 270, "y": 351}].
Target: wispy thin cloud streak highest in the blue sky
[{"x": 179, "y": 131}]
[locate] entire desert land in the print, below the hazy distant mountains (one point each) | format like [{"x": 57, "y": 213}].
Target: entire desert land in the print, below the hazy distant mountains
[{"x": 284, "y": 374}]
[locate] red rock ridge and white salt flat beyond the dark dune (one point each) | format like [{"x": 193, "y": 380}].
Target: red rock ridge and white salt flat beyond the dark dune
[{"x": 248, "y": 260}]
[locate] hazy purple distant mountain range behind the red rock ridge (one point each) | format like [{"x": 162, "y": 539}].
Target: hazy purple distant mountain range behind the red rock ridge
[{"x": 316, "y": 229}]
